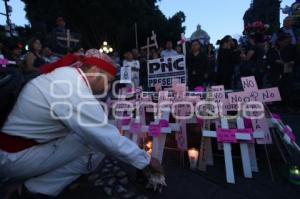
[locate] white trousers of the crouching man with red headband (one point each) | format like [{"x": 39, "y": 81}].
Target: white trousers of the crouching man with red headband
[{"x": 49, "y": 168}]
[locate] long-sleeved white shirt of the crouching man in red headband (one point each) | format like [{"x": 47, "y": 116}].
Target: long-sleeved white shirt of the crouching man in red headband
[{"x": 59, "y": 94}]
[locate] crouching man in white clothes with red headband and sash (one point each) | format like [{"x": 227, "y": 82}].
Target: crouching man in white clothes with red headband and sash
[{"x": 59, "y": 113}]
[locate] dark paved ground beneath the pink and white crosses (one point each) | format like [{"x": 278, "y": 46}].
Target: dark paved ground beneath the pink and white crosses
[{"x": 184, "y": 183}]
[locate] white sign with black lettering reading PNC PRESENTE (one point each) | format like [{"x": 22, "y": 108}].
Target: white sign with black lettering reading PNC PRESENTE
[{"x": 163, "y": 71}]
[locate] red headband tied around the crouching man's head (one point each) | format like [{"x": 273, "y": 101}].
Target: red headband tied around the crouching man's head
[{"x": 71, "y": 59}]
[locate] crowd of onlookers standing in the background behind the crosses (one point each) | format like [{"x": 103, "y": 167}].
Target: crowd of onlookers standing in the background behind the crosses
[{"x": 273, "y": 62}]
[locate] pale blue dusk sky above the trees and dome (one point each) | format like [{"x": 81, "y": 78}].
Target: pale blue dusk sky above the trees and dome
[{"x": 217, "y": 17}]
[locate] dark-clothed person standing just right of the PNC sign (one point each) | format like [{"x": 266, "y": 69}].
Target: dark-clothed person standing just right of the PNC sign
[{"x": 197, "y": 64}]
